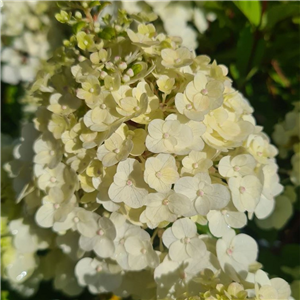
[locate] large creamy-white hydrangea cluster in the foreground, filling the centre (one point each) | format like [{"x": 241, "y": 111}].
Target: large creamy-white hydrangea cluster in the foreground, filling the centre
[{"x": 138, "y": 144}]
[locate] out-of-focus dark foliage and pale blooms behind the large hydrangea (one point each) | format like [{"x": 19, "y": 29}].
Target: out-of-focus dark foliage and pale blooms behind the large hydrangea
[{"x": 258, "y": 40}]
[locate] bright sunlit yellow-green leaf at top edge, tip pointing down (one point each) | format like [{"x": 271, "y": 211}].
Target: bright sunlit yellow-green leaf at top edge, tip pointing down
[{"x": 251, "y": 9}]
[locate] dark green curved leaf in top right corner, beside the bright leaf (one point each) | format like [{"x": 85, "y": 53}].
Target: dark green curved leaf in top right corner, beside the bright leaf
[{"x": 278, "y": 13}]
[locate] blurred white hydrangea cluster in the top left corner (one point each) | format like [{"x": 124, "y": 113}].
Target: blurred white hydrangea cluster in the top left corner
[{"x": 25, "y": 43}]
